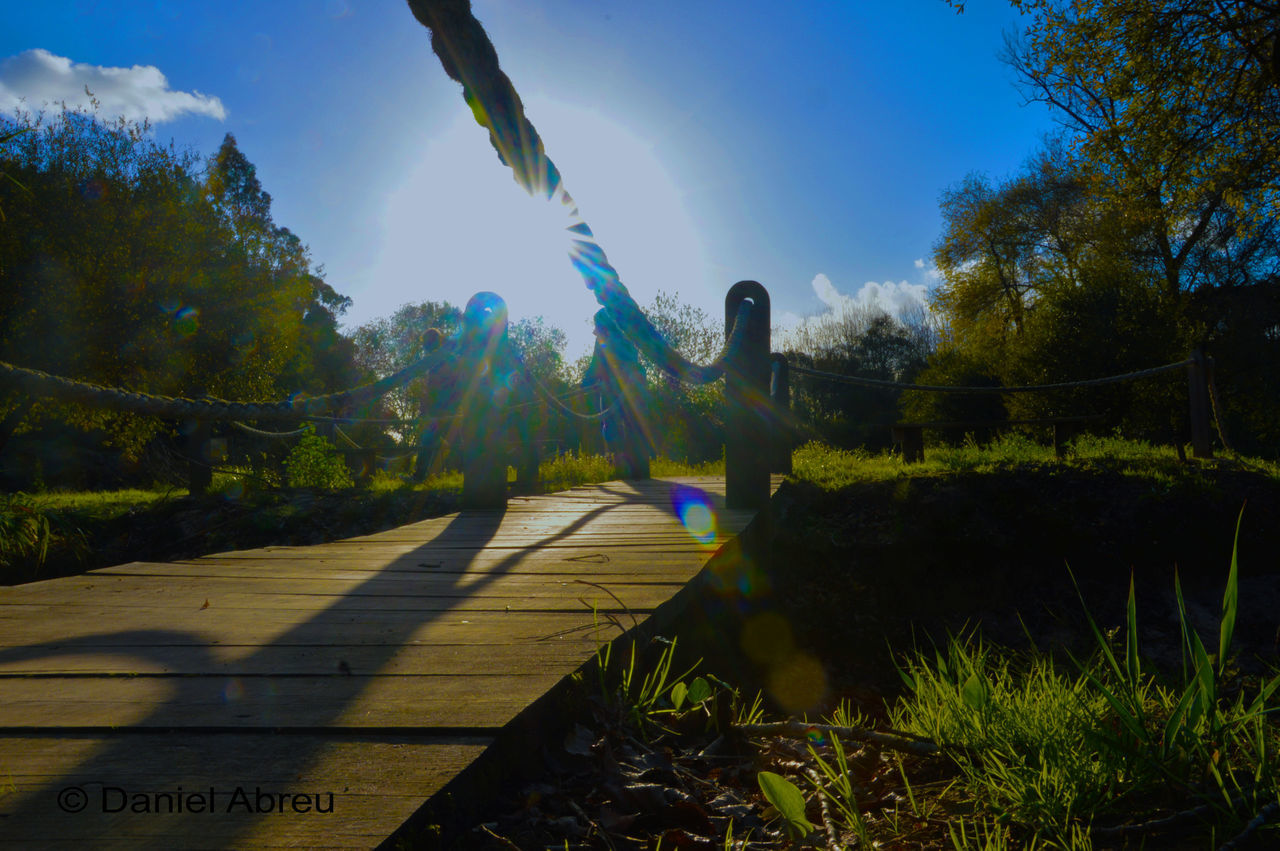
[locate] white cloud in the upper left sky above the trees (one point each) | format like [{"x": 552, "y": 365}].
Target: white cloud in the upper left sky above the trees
[{"x": 35, "y": 79}]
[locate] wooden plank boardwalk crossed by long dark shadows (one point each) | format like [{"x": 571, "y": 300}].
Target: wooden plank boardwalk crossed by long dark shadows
[{"x": 318, "y": 697}]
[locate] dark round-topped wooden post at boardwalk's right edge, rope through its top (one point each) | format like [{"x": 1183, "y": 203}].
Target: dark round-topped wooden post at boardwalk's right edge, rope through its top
[{"x": 747, "y": 394}]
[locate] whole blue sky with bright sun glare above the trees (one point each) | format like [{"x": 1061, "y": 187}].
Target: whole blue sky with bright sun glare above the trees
[{"x": 799, "y": 145}]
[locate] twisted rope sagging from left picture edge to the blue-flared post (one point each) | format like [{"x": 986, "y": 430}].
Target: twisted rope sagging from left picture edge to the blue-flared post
[{"x": 36, "y": 383}]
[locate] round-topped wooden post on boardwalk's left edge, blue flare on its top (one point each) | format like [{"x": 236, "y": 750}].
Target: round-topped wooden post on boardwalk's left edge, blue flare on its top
[{"x": 483, "y": 415}]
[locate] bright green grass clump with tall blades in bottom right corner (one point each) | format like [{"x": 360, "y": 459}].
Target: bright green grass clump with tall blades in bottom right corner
[{"x": 1052, "y": 753}]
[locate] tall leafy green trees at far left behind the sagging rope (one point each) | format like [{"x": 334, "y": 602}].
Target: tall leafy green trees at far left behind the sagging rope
[{"x": 135, "y": 266}]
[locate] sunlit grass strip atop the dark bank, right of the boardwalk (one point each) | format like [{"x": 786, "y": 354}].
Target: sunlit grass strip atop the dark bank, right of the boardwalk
[{"x": 834, "y": 469}]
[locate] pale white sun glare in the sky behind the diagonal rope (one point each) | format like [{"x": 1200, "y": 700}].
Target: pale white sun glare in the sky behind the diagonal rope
[{"x": 459, "y": 225}]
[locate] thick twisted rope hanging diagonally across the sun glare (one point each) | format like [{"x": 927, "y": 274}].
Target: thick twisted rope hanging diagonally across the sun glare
[{"x": 469, "y": 58}]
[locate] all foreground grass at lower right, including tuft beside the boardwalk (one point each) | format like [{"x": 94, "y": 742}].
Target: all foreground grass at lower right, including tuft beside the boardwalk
[{"x": 1036, "y": 751}]
